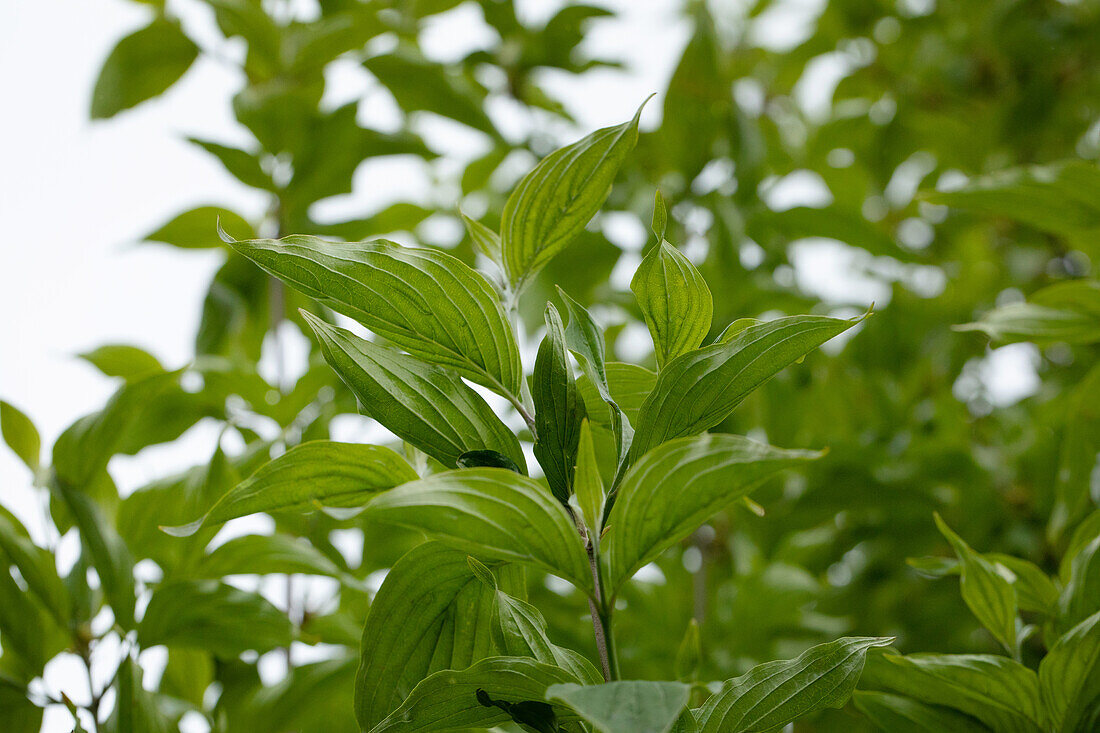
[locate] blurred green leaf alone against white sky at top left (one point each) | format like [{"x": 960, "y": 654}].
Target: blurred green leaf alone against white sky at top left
[{"x": 142, "y": 65}]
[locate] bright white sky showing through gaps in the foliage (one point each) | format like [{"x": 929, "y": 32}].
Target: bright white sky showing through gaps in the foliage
[{"x": 76, "y": 196}]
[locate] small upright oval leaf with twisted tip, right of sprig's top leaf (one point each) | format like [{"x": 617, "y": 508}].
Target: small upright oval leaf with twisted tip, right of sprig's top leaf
[{"x": 675, "y": 302}]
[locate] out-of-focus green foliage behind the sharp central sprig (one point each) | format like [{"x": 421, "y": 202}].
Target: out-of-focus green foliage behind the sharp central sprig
[{"x": 951, "y": 151}]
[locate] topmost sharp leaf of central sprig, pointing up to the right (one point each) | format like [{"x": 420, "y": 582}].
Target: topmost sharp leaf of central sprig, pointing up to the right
[{"x": 552, "y": 205}]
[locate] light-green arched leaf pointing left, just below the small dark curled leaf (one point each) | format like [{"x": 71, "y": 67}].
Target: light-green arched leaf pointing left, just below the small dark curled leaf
[{"x": 494, "y": 515}]
